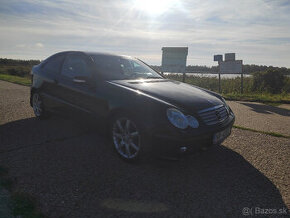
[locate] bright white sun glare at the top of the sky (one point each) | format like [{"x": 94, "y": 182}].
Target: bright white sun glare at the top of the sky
[{"x": 153, "y": 7}]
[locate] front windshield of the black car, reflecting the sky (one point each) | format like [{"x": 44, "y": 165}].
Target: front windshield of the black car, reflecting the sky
[{"x": 123, "y": 68}]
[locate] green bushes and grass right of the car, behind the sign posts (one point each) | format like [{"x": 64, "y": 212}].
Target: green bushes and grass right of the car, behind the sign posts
[{"x": 272, "y": 86}]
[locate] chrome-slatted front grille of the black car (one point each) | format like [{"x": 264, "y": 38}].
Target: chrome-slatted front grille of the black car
[{"x": 214, "y": 115}]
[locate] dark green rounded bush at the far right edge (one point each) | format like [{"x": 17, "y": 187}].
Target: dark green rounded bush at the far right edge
[{"x": 271, "y": 81}]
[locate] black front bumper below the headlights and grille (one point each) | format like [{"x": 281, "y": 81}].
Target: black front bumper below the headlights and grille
[{"x": 171, "y": 141}]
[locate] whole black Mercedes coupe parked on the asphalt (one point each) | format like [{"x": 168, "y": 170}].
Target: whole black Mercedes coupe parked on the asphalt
[{"x": 143, "y": 110}]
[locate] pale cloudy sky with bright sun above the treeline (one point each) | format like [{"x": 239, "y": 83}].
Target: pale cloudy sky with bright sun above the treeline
[{"x": 258, "y": 31}]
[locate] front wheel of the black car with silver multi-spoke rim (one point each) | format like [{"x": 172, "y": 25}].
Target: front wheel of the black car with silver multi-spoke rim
[{"x": 127, "y": 137}]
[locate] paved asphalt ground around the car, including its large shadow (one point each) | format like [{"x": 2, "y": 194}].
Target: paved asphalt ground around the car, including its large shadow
[{"x": 72, "y": 171}]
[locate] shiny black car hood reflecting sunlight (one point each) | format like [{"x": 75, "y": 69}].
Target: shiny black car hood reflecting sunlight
[{"x": 182, "y": 95}]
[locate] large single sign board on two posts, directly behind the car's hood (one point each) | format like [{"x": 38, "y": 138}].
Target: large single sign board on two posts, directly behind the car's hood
[{"x": 174, "y": 59}]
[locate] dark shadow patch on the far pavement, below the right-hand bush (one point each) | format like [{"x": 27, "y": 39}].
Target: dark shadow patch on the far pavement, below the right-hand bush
[{"x": 267, "y": 109}]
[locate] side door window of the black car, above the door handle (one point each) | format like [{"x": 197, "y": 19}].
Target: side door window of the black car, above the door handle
[{"x": 75, "y": 65}]
